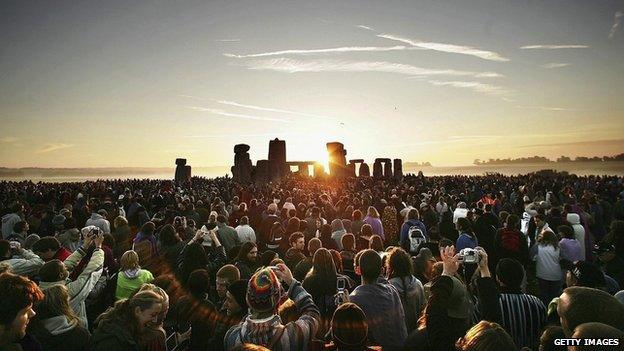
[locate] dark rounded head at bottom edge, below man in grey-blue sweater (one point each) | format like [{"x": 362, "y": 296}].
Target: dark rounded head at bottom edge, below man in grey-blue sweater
[{"x": 349, "y": 328}]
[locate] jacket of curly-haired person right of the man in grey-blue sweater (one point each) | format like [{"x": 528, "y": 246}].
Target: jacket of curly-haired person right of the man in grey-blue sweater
[{"x": 412, "y": 296}]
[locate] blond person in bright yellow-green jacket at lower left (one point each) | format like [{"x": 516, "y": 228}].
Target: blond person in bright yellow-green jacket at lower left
[{"x": 131, "y": 277}]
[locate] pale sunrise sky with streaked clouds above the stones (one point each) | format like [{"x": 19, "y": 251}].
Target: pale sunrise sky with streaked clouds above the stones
[{"x": 139, "y": 83}]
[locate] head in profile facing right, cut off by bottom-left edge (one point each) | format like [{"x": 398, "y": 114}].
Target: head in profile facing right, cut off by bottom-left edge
[{"x": 17, "y": 297}]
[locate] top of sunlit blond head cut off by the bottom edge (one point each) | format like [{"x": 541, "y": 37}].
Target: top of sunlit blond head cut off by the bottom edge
[{"x": 486, "y": 336}]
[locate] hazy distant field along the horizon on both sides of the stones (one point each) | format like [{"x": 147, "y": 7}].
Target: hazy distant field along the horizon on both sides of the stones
[{"x": 79, "y": 175}]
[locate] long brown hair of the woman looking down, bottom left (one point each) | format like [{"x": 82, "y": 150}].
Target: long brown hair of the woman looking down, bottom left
[{"x": 123, "y": 311}]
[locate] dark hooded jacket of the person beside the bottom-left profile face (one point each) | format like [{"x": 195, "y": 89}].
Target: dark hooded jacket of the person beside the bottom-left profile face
[{"x": 58, "y": 334}]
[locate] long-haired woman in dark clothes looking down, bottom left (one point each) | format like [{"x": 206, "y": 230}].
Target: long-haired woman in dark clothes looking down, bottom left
[{"x": 120, "y": 327}]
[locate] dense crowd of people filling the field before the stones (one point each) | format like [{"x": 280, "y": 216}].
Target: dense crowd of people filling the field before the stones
[{"x": 487, "y": 262}]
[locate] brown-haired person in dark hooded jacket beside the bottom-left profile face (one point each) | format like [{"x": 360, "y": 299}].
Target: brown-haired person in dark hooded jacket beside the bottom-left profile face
[{"x": 56, "y": 327}]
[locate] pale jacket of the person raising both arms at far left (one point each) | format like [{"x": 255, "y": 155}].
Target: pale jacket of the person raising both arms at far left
[{"x": 80, "y": 288}]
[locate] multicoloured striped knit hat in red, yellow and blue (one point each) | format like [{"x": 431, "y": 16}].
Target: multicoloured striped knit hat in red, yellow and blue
[{"x": 263, "y": 291}]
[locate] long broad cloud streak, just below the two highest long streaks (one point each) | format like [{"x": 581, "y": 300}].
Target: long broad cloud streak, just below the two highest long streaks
[{"x": 295, "y": 66}]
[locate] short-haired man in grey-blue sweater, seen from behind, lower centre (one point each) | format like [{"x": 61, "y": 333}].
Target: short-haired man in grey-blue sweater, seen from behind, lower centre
[{"x": 381, "y": 303}]
